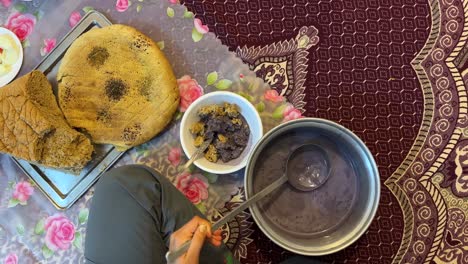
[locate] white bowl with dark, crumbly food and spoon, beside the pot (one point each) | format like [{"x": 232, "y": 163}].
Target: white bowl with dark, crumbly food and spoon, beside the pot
[{"x": 213, "y": 117}]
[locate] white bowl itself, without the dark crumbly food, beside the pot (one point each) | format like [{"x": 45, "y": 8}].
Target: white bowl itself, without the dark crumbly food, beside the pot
[{"x": 247, "y": 110}]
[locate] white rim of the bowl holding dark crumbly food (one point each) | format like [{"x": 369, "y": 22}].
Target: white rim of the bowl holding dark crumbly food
[{"x": 199, "y": 101}]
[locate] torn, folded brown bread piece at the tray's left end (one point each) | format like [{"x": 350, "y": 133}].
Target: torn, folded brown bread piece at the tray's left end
[{"x": 34, "y": 129}]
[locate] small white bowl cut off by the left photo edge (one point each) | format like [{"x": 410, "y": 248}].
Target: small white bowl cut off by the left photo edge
[{"x": 11, "y": 56}]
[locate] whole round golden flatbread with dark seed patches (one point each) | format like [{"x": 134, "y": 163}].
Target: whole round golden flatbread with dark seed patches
[{"x": 115, "y": 84}]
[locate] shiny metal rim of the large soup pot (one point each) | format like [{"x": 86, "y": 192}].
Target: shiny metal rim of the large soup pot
[{"x": 371, "y": 207}]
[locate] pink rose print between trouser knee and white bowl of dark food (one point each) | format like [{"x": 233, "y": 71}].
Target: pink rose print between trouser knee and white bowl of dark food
[{"x": 194, "y": 187}]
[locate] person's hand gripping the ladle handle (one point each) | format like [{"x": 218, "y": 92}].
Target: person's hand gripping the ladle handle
[{"x": 197, "y": 230}]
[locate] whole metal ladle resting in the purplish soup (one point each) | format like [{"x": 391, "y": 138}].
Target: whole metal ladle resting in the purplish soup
[{"x": 307, "y": 168}]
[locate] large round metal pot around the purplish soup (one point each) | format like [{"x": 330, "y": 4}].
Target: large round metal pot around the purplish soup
[{"x": 366, "y": 198}]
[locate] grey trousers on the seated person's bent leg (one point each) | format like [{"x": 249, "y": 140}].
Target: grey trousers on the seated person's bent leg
[{"x": 133, "y": 213}]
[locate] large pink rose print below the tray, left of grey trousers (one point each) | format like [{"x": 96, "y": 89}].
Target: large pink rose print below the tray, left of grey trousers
[{"x": 60, "y": 232}]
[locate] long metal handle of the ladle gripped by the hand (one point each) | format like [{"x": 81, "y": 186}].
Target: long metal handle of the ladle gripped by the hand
[{"x": 172, "y": 256}]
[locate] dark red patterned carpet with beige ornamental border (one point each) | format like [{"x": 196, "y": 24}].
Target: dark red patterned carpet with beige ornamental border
[{"x": 391, "y": 71}]
